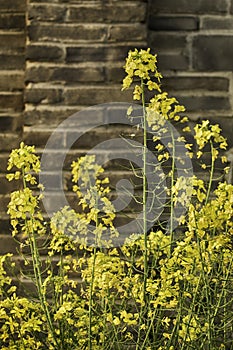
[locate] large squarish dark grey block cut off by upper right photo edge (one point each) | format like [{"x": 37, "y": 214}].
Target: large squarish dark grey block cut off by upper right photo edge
[{"x": 213, "y": 53}]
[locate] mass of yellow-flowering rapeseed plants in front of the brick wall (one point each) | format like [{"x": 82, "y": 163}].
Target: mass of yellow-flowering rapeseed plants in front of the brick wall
[{"x": 169, "y": 287}]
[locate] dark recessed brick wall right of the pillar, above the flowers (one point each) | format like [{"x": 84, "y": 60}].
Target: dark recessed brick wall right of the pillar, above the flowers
[{"x": 194, "y": 42}]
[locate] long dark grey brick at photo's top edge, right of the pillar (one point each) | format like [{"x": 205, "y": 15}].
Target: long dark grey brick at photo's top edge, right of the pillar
[{"x": 186, "y": 6}]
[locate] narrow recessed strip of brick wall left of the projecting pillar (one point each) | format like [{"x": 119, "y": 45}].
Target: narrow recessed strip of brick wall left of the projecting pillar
[{"x": 12, "y": 68}]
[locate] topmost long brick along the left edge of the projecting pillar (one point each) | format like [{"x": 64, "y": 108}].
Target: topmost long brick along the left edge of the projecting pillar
[{"x": 66, "y": 33}]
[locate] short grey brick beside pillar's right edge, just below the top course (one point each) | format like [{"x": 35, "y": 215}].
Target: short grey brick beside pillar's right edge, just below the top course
[{"x": 173, "y": 23}]
